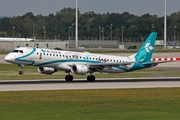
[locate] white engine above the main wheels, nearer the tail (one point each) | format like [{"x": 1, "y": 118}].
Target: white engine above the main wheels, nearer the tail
[{"x": 79, "y": 69}]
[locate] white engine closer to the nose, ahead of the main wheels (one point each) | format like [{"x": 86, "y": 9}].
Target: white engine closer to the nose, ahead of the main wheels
[{"x": 46, "y": 70}]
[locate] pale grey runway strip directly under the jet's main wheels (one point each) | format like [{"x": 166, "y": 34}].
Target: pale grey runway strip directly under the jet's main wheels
[{"x": 79, "y": 84}]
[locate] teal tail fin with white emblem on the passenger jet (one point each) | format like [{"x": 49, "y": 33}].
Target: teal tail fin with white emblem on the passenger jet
[{"x": 144, "y": 54}]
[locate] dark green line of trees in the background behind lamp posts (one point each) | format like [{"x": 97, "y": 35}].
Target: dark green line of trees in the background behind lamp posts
[{"x": 91, "y": 25}]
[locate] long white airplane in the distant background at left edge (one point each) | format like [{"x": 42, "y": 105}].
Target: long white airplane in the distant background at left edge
[{"x": 5, "y": 39}]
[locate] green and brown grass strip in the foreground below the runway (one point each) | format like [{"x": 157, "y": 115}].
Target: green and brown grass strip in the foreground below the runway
[{"x": 149, "y": 104}]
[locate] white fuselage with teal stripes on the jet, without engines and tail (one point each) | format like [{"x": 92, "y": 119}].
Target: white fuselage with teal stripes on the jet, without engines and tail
[{"x": 62, "y": 60}]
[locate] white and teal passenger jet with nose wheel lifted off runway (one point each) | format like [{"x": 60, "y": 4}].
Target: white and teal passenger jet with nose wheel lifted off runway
[{"x": 50, "y": 61}]
